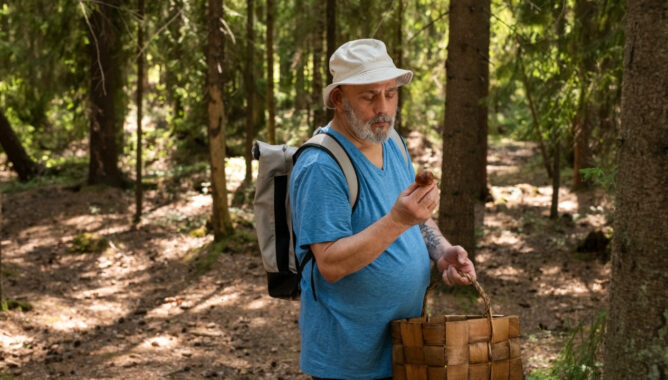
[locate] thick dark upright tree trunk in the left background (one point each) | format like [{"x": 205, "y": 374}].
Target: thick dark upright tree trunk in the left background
[{"x": 106, "y": 87}]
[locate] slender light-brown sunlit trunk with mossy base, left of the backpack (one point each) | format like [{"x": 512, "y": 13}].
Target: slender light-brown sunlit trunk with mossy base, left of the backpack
[{"x": 222, "y": 224}]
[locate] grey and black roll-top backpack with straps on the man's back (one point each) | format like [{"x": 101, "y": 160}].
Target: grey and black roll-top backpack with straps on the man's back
[{"x": 273, "y": 217}]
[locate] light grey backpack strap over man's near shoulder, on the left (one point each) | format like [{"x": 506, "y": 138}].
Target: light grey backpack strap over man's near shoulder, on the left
[{"x": 331, "y": 145}]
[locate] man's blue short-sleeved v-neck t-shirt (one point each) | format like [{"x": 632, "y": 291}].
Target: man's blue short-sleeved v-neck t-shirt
[{"x": 345, "y": 333}]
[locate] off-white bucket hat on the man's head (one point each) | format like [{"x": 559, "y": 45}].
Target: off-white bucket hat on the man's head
[{"x": 362, "y": 62}]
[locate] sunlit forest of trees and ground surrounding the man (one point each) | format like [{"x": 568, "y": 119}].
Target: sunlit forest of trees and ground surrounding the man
[{"x": 127, "y": 234}]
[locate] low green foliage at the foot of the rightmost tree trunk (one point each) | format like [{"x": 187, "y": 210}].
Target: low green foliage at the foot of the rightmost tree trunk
[{"x": 579, "y": 358}]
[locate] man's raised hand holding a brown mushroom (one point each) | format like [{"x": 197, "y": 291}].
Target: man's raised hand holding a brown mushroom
[{"x": 415, "y": 204}]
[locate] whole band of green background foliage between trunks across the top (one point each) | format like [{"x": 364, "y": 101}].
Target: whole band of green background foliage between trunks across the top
[{"x": 572, "y": 67}]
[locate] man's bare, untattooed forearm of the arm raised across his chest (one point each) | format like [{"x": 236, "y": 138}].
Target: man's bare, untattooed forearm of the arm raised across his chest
[{"x": 350, "y": 254}]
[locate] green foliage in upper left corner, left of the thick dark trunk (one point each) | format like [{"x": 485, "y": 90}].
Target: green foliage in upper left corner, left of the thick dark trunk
[{"x": 42, "y": 84}]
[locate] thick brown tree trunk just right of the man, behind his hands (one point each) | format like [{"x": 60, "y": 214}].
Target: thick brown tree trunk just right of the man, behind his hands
[{"x": 464, "y": 135}]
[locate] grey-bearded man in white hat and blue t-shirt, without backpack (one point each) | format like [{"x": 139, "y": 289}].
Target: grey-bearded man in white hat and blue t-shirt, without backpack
[{"x": 371, "y": 262}]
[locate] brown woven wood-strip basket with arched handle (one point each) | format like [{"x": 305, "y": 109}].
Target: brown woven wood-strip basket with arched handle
[{"x": 457, "y": 346}]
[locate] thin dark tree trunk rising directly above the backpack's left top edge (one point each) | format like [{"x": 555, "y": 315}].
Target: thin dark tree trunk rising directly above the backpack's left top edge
[{"x": 249, "y": 79}]
